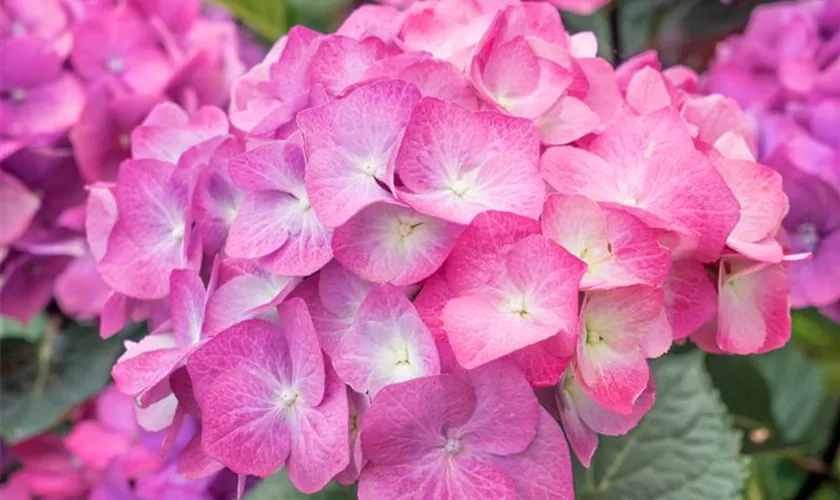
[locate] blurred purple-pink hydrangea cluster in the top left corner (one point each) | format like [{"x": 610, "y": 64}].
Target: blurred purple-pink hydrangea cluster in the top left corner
[{"x": 76, "y": 78}]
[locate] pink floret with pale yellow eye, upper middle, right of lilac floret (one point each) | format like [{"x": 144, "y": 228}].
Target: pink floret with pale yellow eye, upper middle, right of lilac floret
[{"x": 456, "y": 164}]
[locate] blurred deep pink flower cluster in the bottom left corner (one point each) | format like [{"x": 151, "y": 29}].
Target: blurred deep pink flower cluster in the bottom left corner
[{"x": 106, "y": 456}]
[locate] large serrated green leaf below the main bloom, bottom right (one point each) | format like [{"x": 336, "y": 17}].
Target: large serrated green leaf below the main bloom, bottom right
[{"x": 684, "y": 448}]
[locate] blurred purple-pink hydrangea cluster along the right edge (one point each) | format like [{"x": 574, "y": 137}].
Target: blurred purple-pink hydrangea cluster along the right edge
[{"x": 784, "y": 70}]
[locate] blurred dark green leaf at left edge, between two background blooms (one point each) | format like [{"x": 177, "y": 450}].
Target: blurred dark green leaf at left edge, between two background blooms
[{"x": 39, "y": 383}]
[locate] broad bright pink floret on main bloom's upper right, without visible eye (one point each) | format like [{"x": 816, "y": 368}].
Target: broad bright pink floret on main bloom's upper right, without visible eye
[{"x": 650, "y": 166}]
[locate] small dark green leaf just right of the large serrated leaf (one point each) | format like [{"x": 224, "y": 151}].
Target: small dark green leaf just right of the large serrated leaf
[{"x": 743, "y": 390}]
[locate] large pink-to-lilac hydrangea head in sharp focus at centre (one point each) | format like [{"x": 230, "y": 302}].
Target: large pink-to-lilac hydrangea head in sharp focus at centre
[{"x": 400, "y": 230}]
